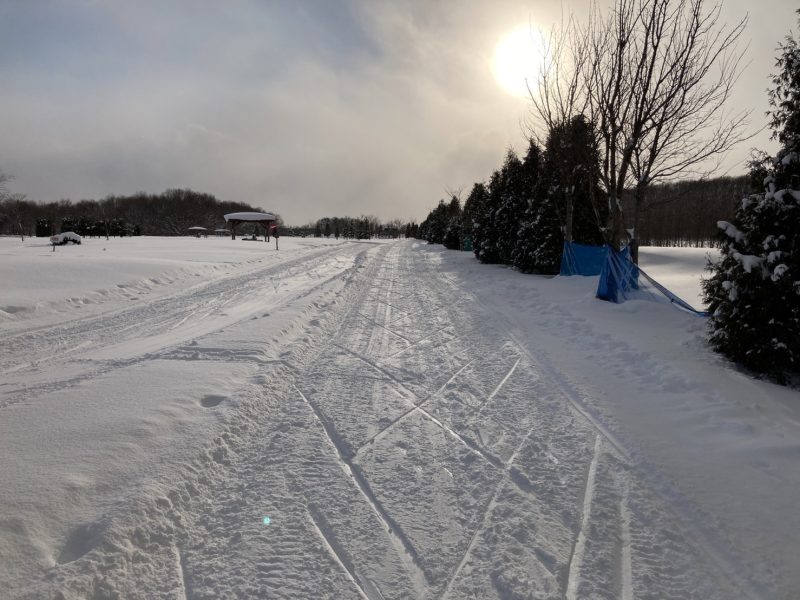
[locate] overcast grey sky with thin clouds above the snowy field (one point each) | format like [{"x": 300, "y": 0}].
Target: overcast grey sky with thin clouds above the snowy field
[{"x": 307, "y": 108}]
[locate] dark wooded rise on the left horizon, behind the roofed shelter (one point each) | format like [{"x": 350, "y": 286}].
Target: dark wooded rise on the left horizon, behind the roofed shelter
[{"x": 169, "y": 213}]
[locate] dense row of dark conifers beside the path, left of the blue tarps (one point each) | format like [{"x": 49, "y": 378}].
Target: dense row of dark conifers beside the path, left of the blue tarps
[{"x": 522, "y": 215}]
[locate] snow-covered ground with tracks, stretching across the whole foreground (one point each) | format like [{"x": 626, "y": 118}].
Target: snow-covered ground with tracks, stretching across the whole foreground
[{"x": 208, "y": 418}]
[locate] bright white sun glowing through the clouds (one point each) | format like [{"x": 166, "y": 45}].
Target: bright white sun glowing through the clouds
[{"x": 518, "y": 59}]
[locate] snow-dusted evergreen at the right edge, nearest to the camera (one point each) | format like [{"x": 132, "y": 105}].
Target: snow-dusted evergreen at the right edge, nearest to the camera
[{"x": 754, "y": 291}]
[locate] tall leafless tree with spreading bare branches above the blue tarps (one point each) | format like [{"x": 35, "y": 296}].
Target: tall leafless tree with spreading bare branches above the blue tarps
[{"x": 654, "y": 77}]
